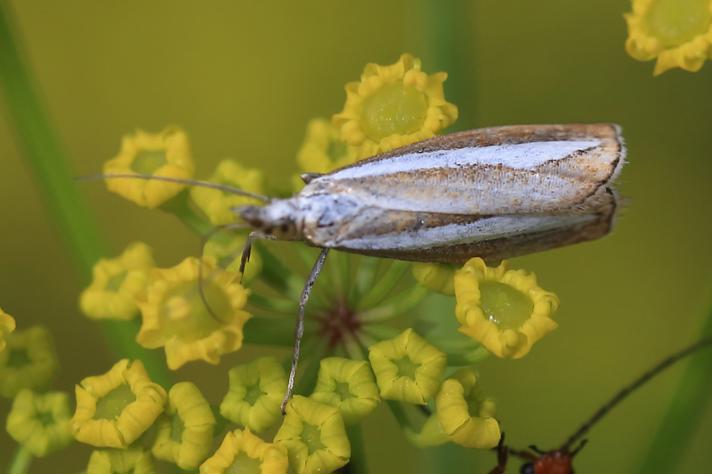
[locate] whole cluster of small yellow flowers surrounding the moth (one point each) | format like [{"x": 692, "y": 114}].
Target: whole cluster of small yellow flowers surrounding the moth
[{"x": 196, "y": 311}]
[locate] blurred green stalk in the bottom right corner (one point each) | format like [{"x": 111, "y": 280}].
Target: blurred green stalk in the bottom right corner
[{"x": 684, "y": 412}]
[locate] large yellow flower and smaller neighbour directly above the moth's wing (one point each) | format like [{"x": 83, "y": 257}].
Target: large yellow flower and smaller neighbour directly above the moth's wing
[{"x": 389, "y": 107}]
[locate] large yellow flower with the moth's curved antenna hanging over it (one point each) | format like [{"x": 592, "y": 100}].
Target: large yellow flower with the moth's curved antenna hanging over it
[{"x": 175, "y": 317}]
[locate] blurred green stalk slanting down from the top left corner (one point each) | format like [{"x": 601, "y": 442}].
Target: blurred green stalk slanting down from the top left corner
[{"x": 42, "y": 152}]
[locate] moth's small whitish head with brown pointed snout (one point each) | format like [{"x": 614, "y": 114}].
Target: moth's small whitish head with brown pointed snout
[{"x": 278, "y": 218}]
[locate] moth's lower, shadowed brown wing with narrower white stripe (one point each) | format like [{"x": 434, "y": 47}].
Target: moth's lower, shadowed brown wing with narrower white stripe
[{"x": 433, "y": 237}]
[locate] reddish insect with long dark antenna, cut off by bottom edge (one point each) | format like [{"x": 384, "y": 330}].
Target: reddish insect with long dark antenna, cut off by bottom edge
[{"x": 560, "y": 460}]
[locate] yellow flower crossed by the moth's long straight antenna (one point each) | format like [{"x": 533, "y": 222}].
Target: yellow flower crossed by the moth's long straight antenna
[{"x": 166, "y": 153}]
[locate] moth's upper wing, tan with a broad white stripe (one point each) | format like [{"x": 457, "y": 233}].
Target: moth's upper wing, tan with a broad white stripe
[{"x": 493, "y": 171}]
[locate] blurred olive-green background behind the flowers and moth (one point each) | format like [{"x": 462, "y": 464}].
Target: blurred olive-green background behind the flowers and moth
[{"x": 244, "y": 77}]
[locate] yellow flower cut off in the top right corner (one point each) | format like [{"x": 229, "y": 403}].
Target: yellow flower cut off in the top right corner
[{"x": 677, "y": 32}]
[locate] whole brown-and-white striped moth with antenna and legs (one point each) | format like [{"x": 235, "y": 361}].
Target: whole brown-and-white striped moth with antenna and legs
[{"x": 493, "y": 193}]
